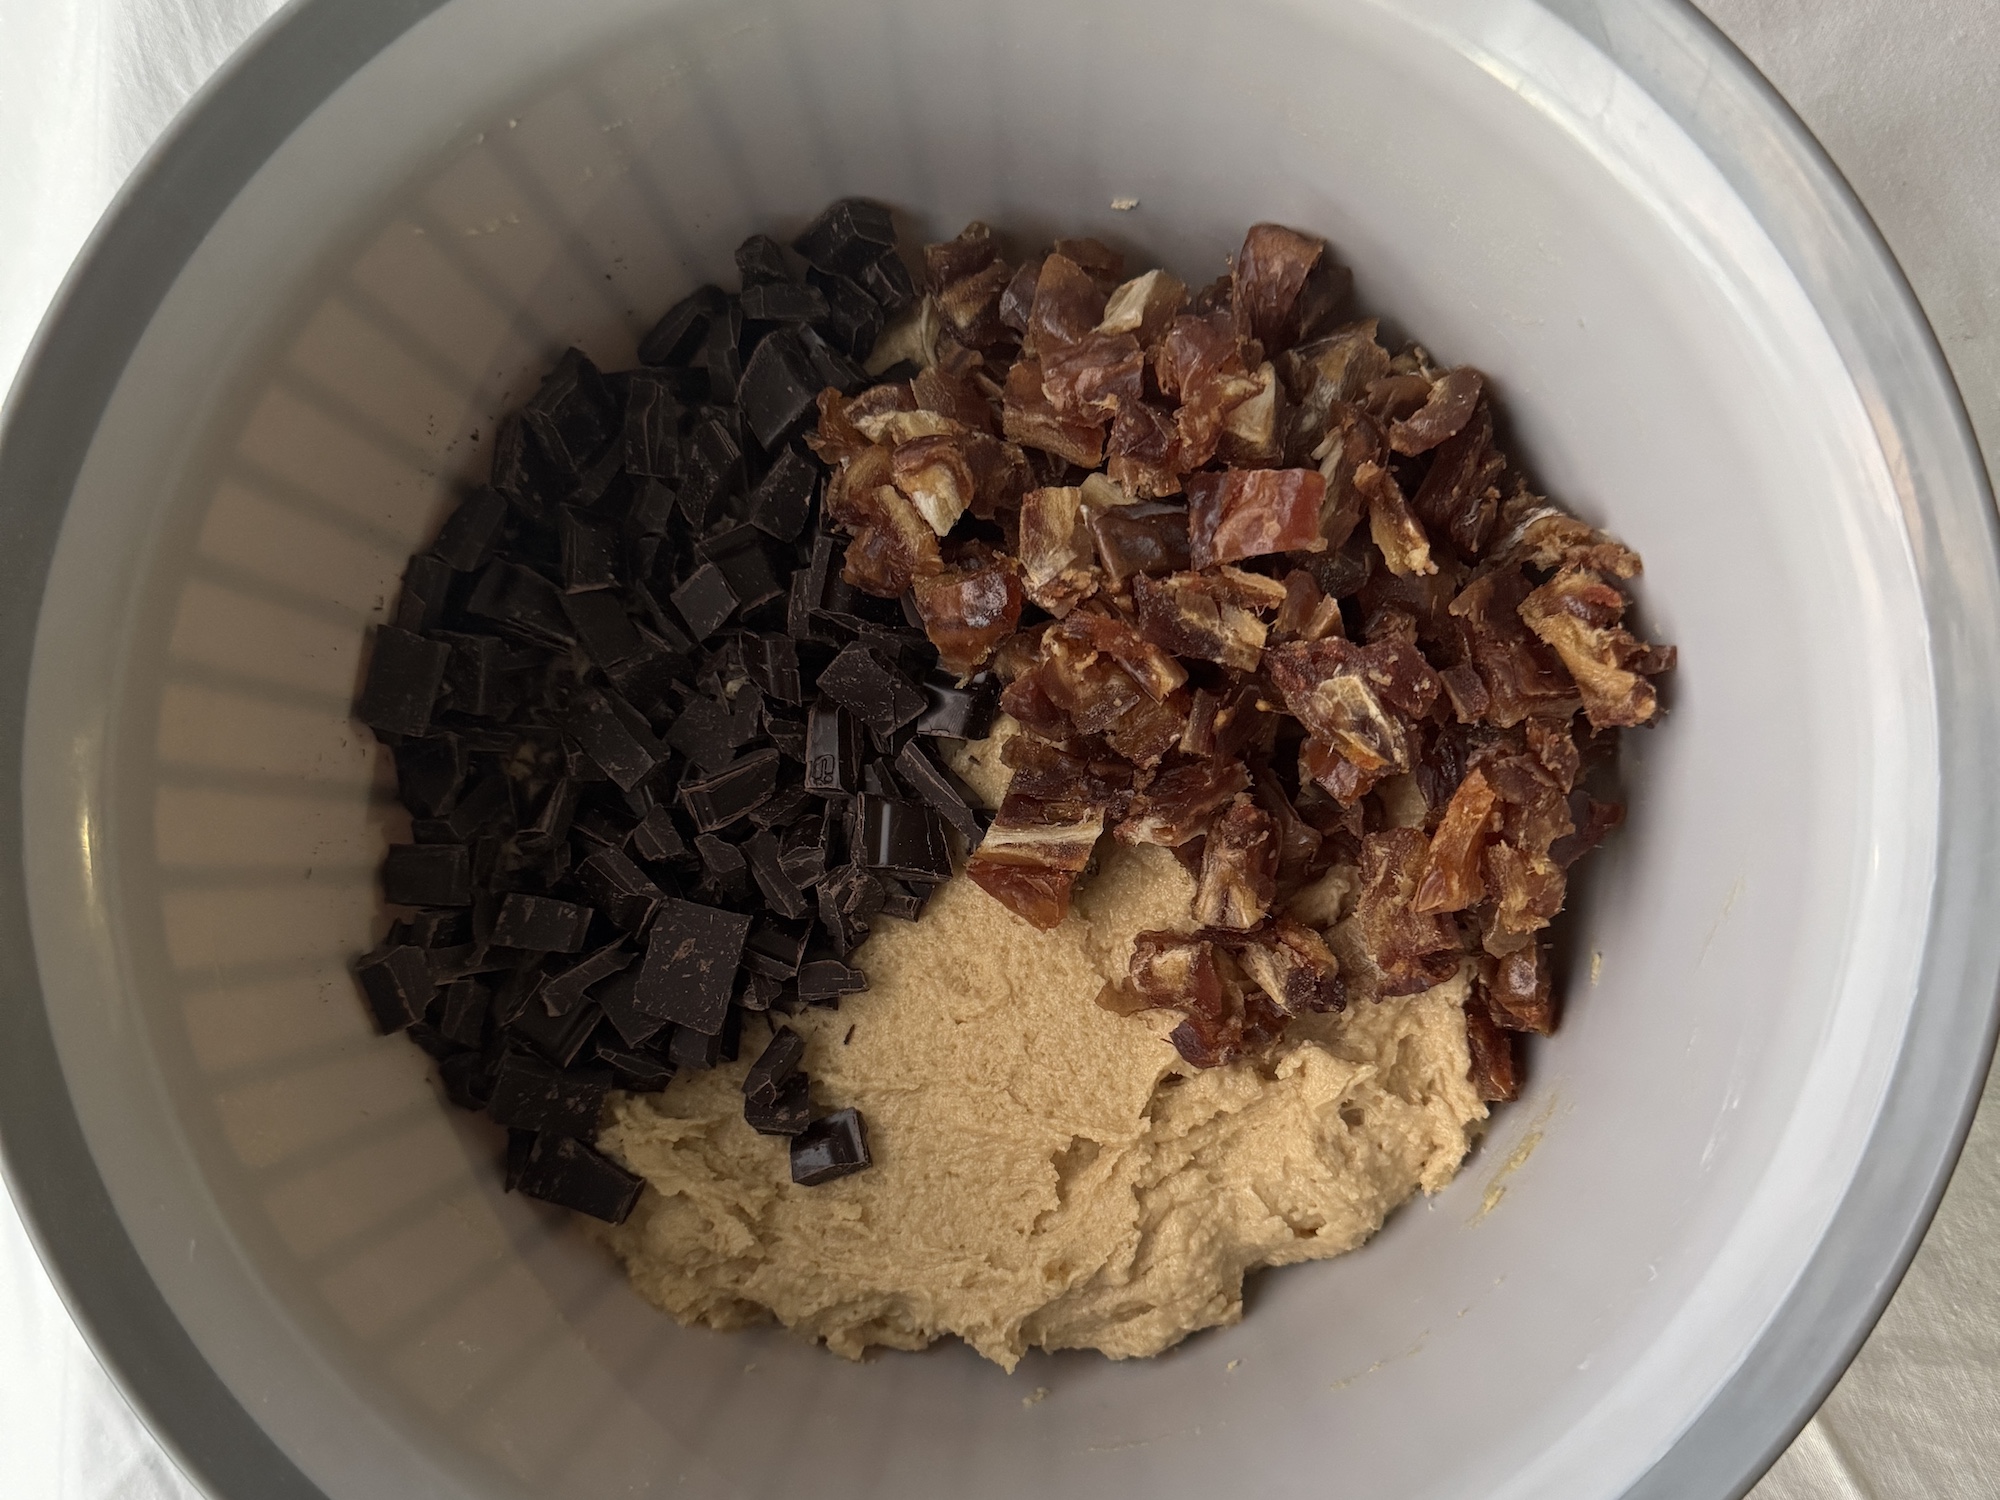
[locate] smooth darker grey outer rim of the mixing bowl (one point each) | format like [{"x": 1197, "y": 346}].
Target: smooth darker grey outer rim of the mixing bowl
[{"x": 1767, "y": 155}]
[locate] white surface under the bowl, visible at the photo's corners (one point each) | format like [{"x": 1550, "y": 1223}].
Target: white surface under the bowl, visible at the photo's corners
[{"x": 1907, "y": 99}]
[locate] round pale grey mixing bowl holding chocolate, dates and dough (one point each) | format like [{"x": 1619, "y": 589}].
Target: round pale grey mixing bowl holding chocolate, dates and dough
[{"x": 291, "y": 341}]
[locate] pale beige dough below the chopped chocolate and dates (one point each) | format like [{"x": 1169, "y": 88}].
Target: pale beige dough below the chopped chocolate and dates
[{"x": 1047, "y": 1175}]
